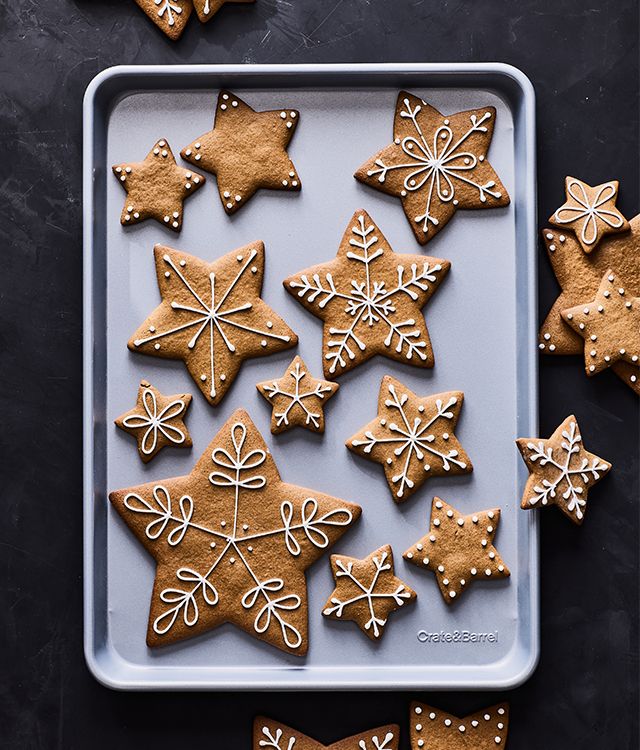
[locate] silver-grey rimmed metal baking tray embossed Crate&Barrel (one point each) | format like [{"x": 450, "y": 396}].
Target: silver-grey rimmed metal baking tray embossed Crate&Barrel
[{"x": 482, "y": 323}]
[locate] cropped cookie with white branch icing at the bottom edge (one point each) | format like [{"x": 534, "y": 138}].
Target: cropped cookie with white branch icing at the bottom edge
[{"x": 272, "y": 735}]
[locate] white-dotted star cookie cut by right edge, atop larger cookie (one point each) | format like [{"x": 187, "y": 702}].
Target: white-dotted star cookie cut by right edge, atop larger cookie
[{"x": 609, "y": 325}]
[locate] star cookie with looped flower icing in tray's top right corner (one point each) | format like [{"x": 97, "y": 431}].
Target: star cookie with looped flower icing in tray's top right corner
[{"x": 436, "y": 164}]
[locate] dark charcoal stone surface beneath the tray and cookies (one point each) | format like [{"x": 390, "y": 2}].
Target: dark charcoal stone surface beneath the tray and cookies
[{"x": 583, "y": 60}]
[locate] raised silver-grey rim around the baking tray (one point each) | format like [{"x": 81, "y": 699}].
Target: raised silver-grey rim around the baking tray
[{"x": 262, "y": 678}]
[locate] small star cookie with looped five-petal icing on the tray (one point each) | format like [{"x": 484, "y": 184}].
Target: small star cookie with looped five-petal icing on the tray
[{"x": 156, "y": 421}]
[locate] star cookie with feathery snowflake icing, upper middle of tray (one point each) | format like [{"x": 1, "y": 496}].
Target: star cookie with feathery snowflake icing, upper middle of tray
[{"x": 370, "y": 300}]
